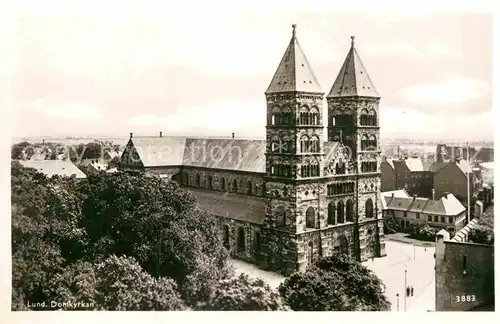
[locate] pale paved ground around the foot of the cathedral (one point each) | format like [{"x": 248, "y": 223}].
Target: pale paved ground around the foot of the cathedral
[{"x": 390, "y": 269}]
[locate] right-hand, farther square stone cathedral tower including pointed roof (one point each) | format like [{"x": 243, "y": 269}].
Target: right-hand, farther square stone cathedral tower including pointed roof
[{"x": 353, "y": 119}]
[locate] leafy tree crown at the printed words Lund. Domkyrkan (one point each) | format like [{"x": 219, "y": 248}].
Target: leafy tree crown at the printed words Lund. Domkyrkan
[{"x": 117, "y": 283}]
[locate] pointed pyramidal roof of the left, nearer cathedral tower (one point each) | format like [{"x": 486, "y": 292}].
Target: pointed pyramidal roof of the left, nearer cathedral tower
[{"x": 294, "y": 72}]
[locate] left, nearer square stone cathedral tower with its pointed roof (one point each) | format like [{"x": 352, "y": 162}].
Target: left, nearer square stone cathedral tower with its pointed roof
[{"x": 294, "y": 159}]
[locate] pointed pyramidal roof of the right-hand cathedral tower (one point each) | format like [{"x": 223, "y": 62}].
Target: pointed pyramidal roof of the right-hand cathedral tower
[{"x": 353, "y": 79}]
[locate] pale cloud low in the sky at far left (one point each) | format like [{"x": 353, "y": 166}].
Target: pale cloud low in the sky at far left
[{"x": 72, "y": 111}]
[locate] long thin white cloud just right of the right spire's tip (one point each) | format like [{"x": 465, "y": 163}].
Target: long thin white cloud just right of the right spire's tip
[{"x": 401, "y": 48}]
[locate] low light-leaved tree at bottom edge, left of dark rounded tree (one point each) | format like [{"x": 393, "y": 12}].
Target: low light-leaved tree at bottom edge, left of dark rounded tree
[{"x": 243, "y": 293}]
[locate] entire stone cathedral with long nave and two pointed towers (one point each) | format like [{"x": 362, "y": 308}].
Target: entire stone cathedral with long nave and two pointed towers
[{"x": 285, "y": 201}]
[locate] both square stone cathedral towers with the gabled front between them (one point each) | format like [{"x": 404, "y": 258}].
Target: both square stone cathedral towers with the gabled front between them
[{"x": 322, "y": 196}]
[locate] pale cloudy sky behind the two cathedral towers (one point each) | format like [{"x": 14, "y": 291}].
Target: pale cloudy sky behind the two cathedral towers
[{"x": 109, "y": 69}]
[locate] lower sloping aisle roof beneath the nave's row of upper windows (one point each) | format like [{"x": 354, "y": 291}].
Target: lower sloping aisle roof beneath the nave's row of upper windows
[{"x": 247, "y": 208}]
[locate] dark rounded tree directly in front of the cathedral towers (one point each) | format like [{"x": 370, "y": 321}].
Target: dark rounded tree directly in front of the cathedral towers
[{"x": 335, "y": 283}]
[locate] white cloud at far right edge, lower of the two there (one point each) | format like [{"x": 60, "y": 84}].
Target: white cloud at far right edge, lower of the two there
[{"x": 451, "y": 90}]
